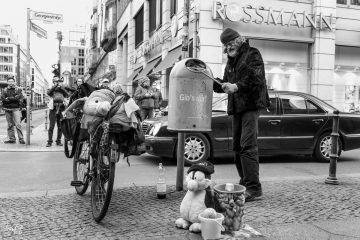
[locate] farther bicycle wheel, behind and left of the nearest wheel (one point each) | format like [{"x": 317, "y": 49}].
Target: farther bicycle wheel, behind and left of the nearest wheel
[{"x": 81, "y": 166}]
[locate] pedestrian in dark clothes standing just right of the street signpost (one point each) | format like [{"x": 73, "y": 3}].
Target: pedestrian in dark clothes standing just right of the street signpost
[{"x": 56, "y": 106}]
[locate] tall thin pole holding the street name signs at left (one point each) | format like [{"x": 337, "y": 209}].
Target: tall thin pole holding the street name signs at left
[{"x": 28, "y": 84}]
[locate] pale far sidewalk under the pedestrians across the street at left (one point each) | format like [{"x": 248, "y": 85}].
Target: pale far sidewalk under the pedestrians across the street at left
[{"x": 38, "y": 140}]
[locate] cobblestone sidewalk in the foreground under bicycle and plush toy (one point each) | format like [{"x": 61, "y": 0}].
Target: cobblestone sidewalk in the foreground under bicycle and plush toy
[{"x": 294, "y": 209}]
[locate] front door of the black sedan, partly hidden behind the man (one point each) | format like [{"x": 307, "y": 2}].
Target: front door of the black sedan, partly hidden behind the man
[{"x": 269, "y": 126}]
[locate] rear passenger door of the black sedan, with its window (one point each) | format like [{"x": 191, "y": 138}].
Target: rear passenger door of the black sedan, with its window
[{"x": 302, "y": 120}]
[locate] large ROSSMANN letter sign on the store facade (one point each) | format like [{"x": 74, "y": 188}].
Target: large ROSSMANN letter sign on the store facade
[{"x": 248, "y": 13}]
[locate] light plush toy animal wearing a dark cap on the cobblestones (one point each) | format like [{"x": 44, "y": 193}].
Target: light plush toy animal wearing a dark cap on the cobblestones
[{"x": 198, "y": 197}]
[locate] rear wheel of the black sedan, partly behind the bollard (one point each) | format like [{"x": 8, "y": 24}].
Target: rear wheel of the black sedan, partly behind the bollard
[{"x": 323, "y": 147}]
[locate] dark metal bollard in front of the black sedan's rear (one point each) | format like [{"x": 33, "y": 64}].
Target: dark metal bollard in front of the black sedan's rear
[{"x": 332, "y": 179}]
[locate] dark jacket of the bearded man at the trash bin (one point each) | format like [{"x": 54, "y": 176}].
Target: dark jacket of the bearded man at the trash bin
[{"x": 247, "y": 71}]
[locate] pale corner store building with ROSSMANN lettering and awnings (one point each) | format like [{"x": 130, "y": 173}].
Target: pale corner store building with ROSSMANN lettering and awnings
[{"x": 309, "y": 46}]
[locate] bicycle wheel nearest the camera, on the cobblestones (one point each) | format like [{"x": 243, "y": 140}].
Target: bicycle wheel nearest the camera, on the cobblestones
[{"x": 102, "y": 182}]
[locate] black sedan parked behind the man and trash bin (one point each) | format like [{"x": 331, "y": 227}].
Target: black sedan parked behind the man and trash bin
[{"x": 295, "y": 123}]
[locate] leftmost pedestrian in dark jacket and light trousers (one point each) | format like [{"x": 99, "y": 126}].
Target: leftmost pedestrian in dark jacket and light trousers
[{"x": 11, "y": 102}]
